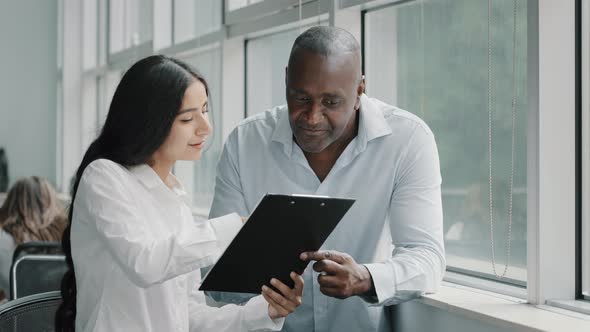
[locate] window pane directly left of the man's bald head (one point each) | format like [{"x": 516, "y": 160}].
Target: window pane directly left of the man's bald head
[{"x": 266, "y": 60}]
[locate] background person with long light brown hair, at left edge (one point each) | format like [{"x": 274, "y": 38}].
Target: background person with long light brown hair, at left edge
[{"x": 31, "y": 212}]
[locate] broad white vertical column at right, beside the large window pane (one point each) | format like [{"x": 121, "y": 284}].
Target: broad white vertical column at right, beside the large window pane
[{"x": 551, "y": 155}]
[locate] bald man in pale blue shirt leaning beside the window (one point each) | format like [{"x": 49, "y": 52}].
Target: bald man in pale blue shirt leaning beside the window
[{"x": 333, "y": 140}]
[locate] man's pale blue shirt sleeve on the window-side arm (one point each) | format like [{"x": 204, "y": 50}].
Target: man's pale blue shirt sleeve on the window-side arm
[{"x": 418, "y": 262}]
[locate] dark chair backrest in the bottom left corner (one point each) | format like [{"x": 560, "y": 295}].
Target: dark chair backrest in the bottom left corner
[{"x": 34, "y": 313}]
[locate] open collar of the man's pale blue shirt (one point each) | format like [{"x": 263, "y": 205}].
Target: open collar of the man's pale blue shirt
[{"x": 372, "y": 125}]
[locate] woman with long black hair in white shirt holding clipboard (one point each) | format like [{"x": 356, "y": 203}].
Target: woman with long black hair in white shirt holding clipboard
[{"x": 133, "y": 249}]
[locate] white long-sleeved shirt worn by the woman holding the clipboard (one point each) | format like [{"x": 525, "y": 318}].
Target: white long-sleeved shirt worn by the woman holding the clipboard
[{"x": 137, "y": 252}]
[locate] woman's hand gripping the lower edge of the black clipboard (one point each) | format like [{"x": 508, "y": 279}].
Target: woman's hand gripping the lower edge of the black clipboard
[{"x": 282, "y": 305}]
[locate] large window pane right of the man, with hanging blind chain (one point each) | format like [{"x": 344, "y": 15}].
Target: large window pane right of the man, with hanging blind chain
[{"x": 431, "y": 58}]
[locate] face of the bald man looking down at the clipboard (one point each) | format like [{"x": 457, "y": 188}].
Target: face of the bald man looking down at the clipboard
[{"x": 323, "y": 95}]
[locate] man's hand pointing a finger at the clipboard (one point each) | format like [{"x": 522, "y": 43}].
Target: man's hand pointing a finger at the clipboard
[{"x": 340, "y": 275}]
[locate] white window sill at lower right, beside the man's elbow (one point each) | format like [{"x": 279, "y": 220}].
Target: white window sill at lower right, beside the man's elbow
[{"x": 505, "y": 311}]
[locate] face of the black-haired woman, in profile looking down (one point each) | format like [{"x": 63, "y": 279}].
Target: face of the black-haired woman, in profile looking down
[{"x": 190, "y": 128}]
